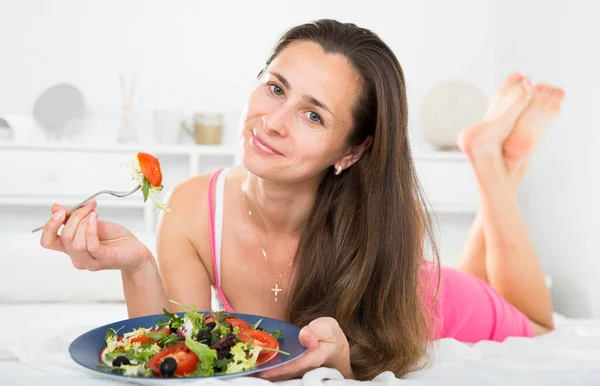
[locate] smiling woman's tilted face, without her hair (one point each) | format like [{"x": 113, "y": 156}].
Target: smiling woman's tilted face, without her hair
[{"x": 298, "y": 117}]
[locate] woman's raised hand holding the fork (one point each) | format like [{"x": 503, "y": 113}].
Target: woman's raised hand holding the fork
[{"x": 92, "y": 244}]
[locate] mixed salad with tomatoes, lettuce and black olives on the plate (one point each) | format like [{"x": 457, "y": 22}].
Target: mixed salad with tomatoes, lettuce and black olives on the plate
[{"x": 192, "y": 345}]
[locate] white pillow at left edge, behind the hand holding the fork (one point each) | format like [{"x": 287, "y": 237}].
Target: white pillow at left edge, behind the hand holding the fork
[{"x": 31, "y": 273}]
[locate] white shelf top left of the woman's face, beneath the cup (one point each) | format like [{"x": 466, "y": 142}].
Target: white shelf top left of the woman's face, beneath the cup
[{"x": 209, "y": 150}]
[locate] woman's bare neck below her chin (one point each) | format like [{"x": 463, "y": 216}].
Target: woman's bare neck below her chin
[{"x": 280, "y": 208}]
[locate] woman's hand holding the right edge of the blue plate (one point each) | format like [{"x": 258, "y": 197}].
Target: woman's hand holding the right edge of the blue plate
[{"x": 327, "y": 347}]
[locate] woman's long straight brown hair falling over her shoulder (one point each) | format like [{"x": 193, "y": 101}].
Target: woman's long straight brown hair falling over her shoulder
[{"x": 360, "y": 254}]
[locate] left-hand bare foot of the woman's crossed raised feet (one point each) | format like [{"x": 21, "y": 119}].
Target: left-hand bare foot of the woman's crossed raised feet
[{"x": 488, "y": 136}]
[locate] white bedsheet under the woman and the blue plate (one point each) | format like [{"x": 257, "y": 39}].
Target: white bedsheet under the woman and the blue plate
[{"x": 34, "y": 339}]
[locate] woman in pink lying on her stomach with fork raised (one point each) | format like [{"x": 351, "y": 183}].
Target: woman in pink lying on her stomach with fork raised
[{"x": 324, "y": 224}]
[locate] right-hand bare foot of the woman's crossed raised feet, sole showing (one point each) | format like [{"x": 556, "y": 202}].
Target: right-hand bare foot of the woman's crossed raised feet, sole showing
[{"x": 532, "y": 124}]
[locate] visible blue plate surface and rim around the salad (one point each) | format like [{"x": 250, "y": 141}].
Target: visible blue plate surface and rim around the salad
[{"x": 86, "y": 349}]
